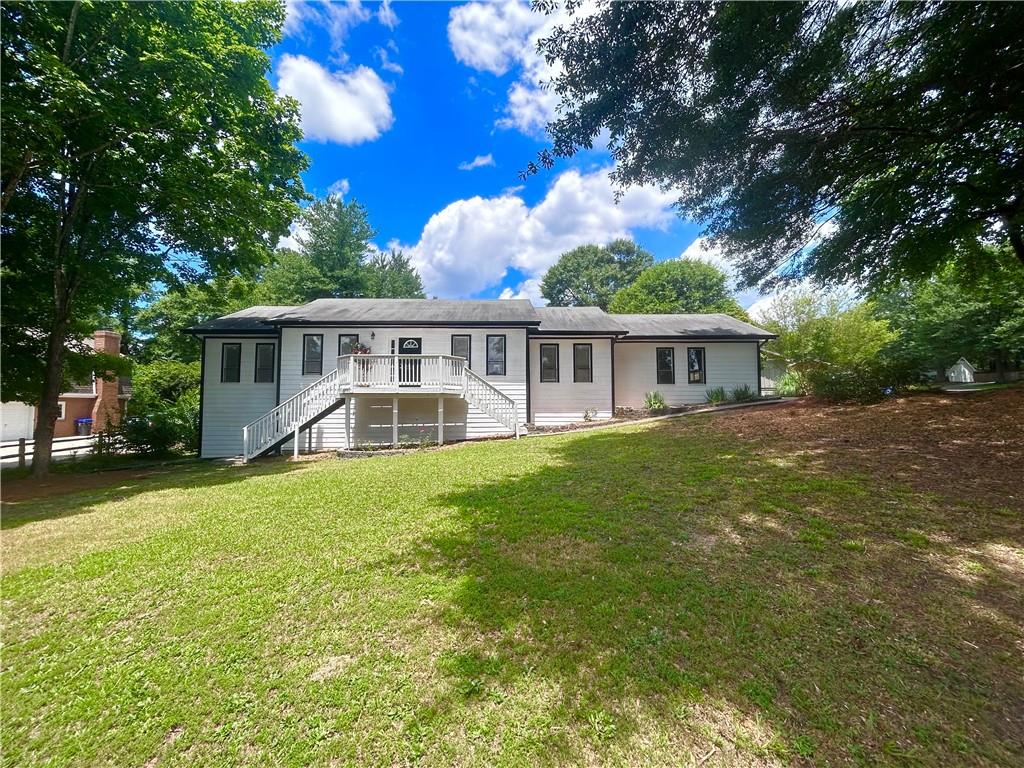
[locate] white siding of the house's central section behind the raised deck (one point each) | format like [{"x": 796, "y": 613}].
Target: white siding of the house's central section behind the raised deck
[{"x": 370, "y": 413}]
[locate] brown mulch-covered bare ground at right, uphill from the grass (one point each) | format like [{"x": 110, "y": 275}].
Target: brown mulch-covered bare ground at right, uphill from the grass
[{"x": 968, "y": 447}]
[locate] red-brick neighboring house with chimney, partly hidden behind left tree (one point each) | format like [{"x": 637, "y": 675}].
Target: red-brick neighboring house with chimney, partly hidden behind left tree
[{"x": 103, "y": 402}]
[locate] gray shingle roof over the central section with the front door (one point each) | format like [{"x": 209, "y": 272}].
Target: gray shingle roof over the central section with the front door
[{"x": 414, "y": 312}]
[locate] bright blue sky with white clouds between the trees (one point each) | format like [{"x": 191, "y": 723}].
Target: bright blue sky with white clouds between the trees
[{"x": 425, "y": 112}]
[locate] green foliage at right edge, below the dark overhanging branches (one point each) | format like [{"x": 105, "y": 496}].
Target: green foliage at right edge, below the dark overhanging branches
[{"x": 975, "y": 312}]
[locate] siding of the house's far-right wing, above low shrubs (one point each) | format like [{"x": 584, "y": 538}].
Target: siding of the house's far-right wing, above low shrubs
[{"x": 728, "y": 365}]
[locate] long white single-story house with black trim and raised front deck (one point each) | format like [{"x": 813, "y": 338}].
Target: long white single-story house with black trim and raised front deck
[{"x": 355, "y": 372}]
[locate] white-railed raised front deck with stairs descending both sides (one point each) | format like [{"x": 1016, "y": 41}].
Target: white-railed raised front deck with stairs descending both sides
[{"x": 376, "y": 374}]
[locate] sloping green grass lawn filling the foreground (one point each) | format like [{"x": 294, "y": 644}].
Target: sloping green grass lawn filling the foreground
[{"x": 652, "y": 595}]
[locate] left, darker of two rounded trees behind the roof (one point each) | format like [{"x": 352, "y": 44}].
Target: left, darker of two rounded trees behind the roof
[{"x": 590, "y": 276}]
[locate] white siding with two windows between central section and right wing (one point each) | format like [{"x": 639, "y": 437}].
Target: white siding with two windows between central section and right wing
[{"x": 565, "y": 402}]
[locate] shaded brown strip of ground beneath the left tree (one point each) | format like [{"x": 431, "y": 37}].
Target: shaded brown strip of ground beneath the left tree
[{"x": 122, "y": 485}]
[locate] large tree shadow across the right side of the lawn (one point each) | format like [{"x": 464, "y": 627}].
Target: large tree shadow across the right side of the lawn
[{"x": 678, "y": 587}]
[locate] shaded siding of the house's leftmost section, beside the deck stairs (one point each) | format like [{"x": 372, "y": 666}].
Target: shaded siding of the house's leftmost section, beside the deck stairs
[{"x": 228, "y": 406}]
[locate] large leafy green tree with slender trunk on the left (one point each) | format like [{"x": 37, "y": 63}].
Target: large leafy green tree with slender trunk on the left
[{"x": 140, "y": 142}]
